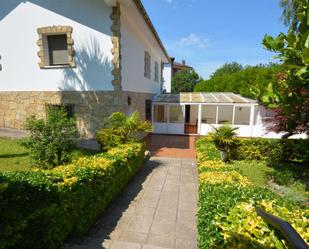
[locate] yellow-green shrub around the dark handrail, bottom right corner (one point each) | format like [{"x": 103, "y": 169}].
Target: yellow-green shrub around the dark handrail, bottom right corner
[{"x": 243, "y": 228}]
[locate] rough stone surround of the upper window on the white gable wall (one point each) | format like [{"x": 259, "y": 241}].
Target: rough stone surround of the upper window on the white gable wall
[{"x": 43, "y": 32}]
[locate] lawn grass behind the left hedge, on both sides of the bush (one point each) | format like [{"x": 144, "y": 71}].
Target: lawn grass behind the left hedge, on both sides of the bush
[{"x": 14, "y": 157}]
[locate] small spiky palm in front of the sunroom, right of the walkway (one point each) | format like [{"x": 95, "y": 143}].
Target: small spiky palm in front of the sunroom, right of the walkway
[{"x": 224, "y": 138}]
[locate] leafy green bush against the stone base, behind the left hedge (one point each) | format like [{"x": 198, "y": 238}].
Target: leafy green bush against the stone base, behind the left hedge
[{"x": 51, "y": 141}]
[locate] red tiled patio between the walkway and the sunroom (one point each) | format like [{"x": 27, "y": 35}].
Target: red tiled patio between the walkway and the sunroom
[{"x": 171, "y": 145}]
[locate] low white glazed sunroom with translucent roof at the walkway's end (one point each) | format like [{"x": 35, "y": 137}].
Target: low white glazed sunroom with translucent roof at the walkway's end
[{"x": 200, "y": 113}]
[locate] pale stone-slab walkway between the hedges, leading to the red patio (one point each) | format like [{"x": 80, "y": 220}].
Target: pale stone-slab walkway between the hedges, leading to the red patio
[{"x": 155, "y": 211}]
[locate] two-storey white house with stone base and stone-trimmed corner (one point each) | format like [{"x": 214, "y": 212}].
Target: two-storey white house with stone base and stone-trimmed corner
[{"x": 93, "y": 57}]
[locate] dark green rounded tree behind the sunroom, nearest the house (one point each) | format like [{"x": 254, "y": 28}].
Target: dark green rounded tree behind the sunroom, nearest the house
[{"x": 185, "y": 81}]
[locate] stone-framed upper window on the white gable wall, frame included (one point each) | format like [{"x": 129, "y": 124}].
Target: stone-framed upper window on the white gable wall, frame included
[{"x": 56, "y": 46}]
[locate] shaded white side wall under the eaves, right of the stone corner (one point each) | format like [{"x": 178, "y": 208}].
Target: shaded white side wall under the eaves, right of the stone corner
[{"x": 136, "y": 38}]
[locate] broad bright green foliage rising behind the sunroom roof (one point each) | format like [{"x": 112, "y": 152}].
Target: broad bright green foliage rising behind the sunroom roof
[{"x": 250, "y": 81}]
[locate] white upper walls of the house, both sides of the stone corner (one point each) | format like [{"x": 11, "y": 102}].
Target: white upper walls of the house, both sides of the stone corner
[{"x": 92, "y": 35}]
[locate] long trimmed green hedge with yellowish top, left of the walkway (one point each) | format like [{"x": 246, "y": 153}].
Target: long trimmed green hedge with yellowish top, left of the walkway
[{"x": 39, "y": 209}]
